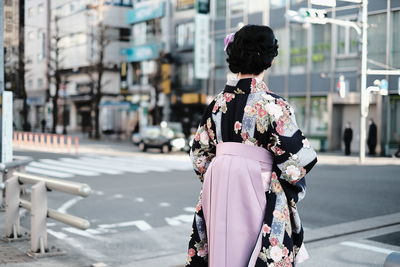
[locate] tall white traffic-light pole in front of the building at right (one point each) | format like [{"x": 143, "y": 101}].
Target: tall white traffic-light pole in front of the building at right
[{"x": 363, "y": 89}]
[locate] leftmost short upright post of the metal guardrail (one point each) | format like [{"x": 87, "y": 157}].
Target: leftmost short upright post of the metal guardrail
[{"x": 12, "y": 226}]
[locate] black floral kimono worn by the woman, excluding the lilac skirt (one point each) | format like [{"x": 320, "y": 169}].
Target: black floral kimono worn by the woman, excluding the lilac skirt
[{"x": 247, "y": 112}]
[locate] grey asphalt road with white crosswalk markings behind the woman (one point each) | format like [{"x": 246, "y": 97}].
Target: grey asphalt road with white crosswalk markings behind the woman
[{"x": 141, "y": 210}]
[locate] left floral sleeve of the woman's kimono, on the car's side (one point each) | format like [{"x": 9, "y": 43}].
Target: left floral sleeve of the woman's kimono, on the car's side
[{"x": 204, "y": 145}]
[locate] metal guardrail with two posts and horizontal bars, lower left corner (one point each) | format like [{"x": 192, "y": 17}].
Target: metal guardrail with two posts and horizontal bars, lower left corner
[{"x": 14, "y": 182}]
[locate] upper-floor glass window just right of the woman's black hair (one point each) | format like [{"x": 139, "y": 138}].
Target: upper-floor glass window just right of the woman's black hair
[{"x": 298, "y": 48}]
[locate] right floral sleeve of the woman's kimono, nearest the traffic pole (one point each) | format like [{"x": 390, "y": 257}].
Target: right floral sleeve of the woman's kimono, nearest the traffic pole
[{"x": 293, "y": 155}]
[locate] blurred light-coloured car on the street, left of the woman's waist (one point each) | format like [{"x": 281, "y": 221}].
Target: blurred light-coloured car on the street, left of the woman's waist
[{"x": 166, "y": 138}]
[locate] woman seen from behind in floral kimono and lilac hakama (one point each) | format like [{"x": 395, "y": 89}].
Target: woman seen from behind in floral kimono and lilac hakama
[{"x": 252, "y": 159}]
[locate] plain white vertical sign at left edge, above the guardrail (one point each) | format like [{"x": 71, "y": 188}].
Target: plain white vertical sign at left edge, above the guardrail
[{"x": 6, "y": 126}]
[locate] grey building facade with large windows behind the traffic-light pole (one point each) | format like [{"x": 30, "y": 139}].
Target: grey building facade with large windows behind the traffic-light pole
[{"x": 313, "y": 57}]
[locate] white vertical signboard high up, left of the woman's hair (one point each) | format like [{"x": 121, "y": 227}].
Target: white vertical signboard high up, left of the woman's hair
[{"x": 201, "y": 47}]
